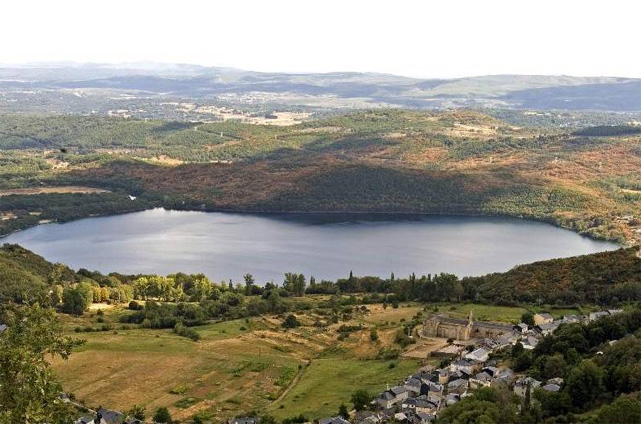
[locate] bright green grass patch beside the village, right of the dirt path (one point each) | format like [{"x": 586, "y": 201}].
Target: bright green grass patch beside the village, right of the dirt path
[{"x": 327, "y": 383}]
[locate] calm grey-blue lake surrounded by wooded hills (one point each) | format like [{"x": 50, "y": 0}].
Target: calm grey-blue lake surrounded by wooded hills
[{"x": 228, "y": 245}]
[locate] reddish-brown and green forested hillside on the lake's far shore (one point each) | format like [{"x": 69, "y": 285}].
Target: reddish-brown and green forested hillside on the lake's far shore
[{"x": 453, "y": 162}]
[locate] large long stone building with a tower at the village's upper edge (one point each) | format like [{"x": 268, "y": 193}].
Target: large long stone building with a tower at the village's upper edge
[{"x": 441, "y": 325}]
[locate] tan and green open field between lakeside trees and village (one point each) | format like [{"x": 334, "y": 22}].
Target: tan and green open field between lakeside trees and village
[{"x": 237, "y": 366}]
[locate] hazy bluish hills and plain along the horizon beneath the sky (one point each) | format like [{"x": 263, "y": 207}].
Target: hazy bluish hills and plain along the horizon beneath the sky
[{"x": 313, "y": 90}]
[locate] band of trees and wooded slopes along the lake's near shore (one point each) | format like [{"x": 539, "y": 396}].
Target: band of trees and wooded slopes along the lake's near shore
[{"x": 607, "y": 278}]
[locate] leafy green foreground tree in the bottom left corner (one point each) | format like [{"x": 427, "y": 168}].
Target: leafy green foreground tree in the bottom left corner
[{"x": 29, "y": 391}]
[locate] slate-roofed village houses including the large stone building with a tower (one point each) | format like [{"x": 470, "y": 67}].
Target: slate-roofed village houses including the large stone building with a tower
[{"x": 467, "y": 364}]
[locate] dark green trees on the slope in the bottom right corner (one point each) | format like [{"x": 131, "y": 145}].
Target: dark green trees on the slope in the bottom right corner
[{"x": 595, "y": 371}]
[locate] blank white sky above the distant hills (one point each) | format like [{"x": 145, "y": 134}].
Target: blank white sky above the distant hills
[{"x": 428, "y": 39}]
